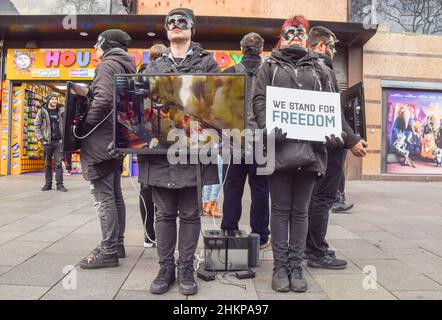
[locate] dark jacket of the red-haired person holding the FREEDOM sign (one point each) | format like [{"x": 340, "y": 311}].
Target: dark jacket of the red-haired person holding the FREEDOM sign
[{"x": 280, "y": 70}]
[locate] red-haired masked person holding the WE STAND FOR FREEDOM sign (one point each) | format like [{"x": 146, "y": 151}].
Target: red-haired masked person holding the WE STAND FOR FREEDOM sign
[{"x": 291, "y": 66}]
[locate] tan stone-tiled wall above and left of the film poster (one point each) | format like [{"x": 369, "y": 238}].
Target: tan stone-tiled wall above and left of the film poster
[{"x": 394, "y": 56}]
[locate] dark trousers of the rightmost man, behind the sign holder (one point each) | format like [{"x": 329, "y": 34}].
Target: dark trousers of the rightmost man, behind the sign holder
[{"x": 323, "y": 197}]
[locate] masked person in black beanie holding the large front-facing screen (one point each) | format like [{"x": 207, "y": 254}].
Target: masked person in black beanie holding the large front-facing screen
[{"x": 174, "y": 187}]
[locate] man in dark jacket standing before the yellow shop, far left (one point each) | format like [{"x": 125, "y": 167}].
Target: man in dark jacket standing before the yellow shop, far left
[{"x": 49, "y": 131}]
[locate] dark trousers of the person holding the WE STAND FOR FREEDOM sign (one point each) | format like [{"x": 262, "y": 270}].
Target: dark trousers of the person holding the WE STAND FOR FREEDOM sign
[{"x": 290, "y": 193}]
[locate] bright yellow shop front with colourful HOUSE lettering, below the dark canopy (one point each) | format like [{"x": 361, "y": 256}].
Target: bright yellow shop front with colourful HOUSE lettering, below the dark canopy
[{"x": 31, "y": 74}]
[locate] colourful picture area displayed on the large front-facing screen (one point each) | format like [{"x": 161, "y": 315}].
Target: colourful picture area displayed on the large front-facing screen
[{"x": 156, "y": 111}]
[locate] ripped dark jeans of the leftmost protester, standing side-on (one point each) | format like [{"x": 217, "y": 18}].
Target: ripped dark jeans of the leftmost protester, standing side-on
[{"x": 109, "y": 204}]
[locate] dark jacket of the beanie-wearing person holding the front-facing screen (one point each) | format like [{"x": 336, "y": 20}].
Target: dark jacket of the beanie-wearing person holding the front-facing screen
[{"x": 155, "y": 170}]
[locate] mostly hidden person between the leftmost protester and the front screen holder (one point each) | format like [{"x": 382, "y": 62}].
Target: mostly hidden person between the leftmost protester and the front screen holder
[{"x": 147, "y": 208}]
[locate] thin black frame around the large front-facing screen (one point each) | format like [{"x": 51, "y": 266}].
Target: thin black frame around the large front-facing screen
[{"x": 165, "y": 151}]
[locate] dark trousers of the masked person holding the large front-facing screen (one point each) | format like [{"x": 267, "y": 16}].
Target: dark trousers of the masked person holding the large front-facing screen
[{"x": 173, "y": 203}]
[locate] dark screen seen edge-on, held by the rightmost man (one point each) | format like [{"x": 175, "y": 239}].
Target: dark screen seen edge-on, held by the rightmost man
[{"x": 353, "y": 105}]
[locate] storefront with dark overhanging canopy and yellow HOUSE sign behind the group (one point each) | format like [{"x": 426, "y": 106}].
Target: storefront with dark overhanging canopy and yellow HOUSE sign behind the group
[{"x": 33, "y": 57}]
